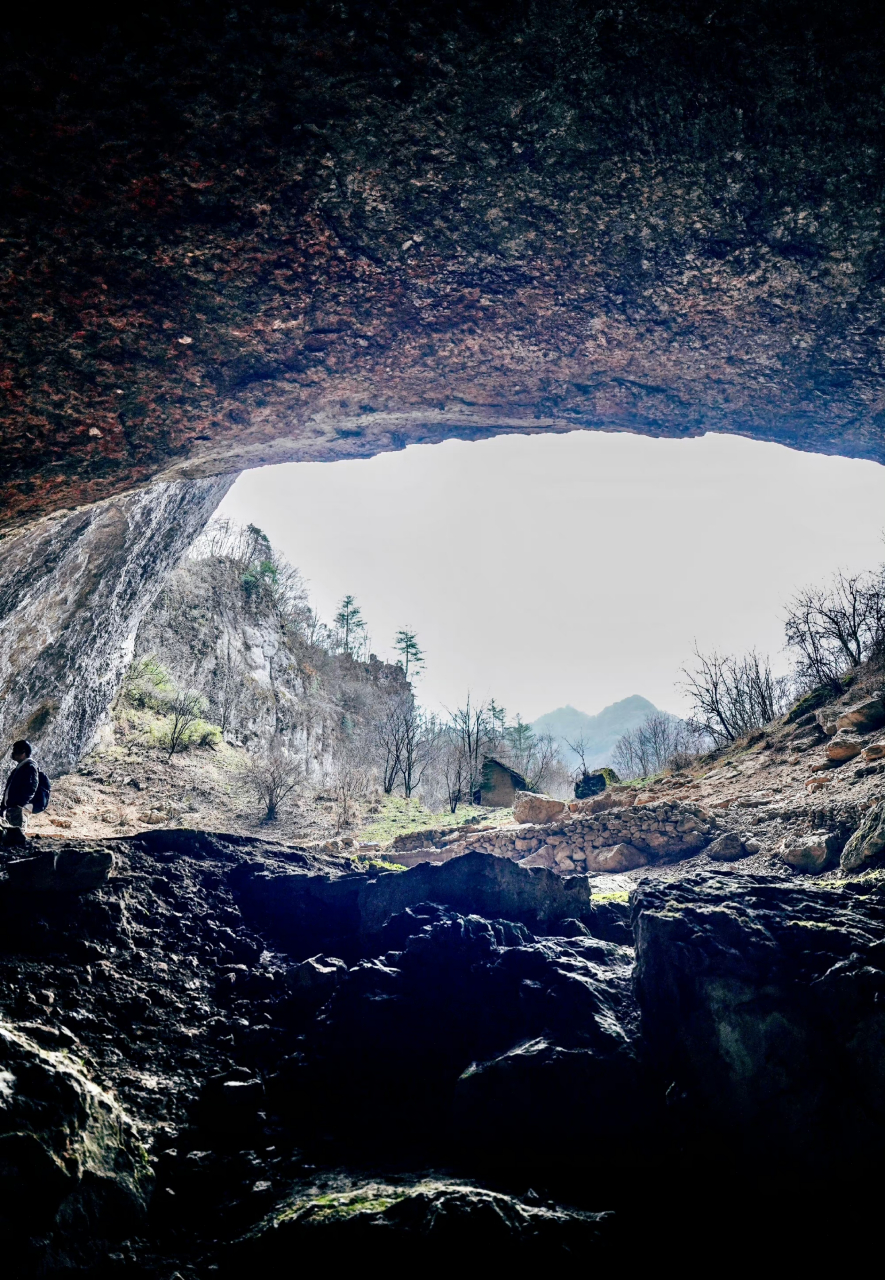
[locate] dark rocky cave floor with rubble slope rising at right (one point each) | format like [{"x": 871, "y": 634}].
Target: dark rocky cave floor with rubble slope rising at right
[{"x": 221, "y": 1053}]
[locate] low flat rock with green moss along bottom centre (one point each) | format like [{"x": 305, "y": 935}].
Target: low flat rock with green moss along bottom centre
[{"x": 427, "y": 1223}]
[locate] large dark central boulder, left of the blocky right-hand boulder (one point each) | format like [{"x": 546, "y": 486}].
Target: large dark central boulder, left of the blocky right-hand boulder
[{"x": 384, "y": 1059}]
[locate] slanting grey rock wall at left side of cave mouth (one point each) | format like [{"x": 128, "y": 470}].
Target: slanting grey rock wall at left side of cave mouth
[{"x": 72, "y": 593}]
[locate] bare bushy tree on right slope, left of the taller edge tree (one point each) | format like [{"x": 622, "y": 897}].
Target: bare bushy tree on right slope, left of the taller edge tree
[{"x": 732, "y": 697}]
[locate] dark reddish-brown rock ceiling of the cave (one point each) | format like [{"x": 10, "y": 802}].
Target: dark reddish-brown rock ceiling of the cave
[{"x": 243, "y": 235}]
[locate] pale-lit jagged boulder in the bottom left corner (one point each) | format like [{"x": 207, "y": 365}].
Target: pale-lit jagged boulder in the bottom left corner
[{"x": 70, "y": 1162}]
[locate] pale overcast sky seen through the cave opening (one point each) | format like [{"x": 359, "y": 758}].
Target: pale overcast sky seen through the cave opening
[{"x": 569, "y": 569}]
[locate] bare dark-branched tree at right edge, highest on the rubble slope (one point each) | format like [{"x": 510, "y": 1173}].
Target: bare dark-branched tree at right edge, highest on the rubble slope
[{"x": 838, "y": 627}]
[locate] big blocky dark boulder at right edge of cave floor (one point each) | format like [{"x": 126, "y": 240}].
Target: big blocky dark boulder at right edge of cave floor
[{"x": 761, "y": 1013}]
